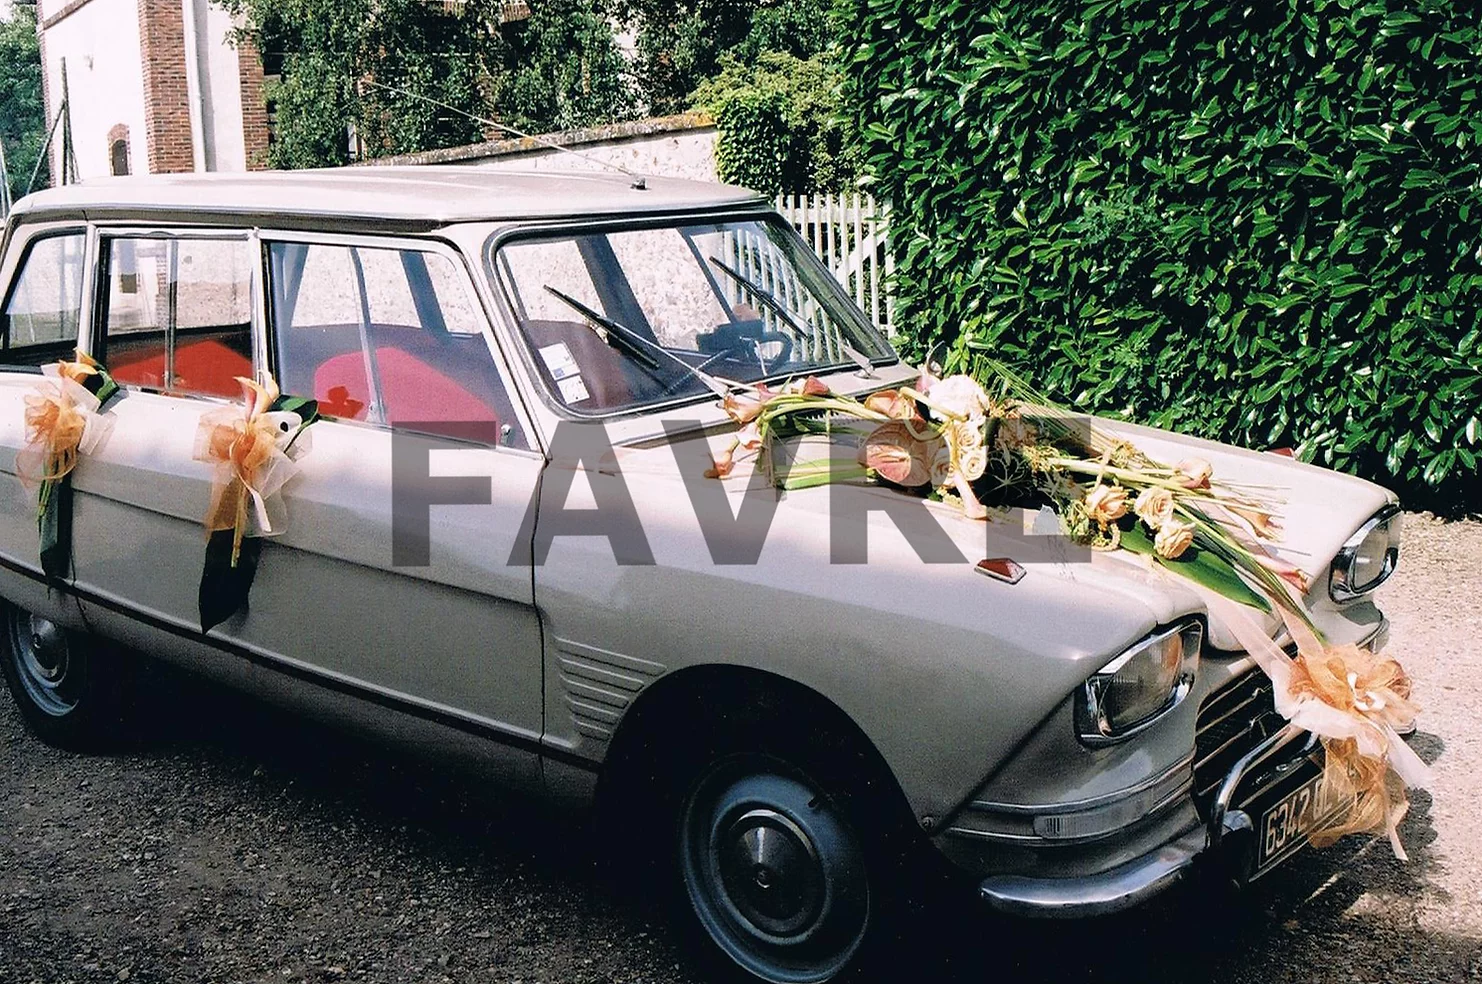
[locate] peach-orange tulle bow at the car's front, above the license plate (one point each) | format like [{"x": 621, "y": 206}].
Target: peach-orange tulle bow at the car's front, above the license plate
[{"x": 1358, "y": 703}]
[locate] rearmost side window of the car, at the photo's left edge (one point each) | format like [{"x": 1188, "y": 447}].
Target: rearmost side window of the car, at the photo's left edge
[{"x": 45, "y": 306}]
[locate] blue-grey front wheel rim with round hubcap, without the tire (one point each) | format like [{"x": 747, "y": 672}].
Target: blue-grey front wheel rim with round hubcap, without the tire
[{"x": 776, "y": 874}]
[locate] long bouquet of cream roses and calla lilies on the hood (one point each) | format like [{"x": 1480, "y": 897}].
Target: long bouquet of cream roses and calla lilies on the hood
[{"x": 983, "y": 448}]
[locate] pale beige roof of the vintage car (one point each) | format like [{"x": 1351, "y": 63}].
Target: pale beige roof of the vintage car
[{"x": 405, "y": 195}]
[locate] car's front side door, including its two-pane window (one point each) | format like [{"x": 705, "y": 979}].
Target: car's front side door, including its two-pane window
[{"x": 376, "y": 582}]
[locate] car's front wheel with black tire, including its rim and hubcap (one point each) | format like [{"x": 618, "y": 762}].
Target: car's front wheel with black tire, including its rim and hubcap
[{"x": 786, "y": 844}]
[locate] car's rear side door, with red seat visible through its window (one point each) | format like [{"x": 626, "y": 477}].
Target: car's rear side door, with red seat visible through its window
[{"x": 173, "y": 319}]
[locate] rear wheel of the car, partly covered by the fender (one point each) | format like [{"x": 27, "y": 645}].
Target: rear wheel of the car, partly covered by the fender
[{"x": 69, "y": 687}]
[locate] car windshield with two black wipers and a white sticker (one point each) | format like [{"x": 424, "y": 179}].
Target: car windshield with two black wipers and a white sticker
[{"x": 620, "y": 319}]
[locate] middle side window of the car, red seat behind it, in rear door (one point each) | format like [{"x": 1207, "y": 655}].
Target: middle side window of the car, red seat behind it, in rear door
[{"x": 179, "y": 313}]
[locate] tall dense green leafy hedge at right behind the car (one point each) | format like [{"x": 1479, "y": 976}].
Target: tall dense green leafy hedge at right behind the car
[{"x": 1260, "y": 223}]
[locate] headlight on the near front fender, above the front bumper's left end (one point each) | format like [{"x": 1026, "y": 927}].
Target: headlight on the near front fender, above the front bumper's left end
[{"x": 1140, "y": 685}]
